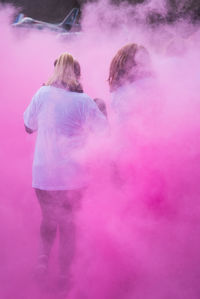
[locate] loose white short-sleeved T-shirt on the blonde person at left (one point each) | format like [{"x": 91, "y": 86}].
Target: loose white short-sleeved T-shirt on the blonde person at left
[{"x": 63, "y": 119}]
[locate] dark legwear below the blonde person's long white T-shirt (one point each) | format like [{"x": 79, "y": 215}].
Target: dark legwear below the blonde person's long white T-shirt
[{"x": 58, "y": 213}]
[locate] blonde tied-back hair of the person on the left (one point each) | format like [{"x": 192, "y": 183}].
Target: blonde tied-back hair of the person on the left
[{"x": 65, "y": 75}]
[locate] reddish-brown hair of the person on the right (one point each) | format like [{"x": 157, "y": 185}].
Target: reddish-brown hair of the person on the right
[{"x": 122, "y": 66}]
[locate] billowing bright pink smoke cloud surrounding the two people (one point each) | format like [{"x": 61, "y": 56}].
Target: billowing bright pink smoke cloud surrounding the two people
[{"x": 138, "y": 228}]
